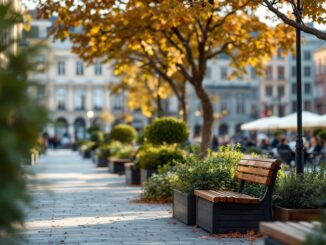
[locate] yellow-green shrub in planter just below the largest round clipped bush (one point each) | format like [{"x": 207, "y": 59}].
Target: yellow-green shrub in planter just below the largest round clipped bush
[{"x": 153, "y": 157}]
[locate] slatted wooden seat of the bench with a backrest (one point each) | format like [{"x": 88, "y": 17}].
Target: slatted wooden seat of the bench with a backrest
[{"x": 225, "y": 196}]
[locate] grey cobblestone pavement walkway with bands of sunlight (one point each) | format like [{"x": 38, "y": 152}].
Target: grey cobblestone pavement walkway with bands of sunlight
[{"x": 77, "y": 203}]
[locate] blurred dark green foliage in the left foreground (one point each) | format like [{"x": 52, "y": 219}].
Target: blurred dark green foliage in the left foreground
[{"x": 21, "y": 118}]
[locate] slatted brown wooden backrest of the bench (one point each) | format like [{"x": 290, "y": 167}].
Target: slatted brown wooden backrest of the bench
[{"x": 258, "y": 171}]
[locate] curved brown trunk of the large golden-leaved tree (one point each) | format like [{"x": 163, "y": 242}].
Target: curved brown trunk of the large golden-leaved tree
[{"x": 208, "y": 118}]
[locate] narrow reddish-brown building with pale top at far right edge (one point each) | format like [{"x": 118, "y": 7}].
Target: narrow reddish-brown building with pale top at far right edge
[{"x": 319, "y": 58}]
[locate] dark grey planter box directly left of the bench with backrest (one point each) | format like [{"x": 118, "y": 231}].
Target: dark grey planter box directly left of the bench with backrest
[{"x": 184, "y": 207}]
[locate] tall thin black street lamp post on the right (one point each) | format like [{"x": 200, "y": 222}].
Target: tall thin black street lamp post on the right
[{"x": 299, "y": 157}]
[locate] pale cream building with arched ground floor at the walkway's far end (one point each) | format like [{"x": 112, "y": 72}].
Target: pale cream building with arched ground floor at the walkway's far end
[{"x": 70, "y": 89}]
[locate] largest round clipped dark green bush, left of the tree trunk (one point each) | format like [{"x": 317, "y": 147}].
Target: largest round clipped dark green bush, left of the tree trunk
[{"x": 166, "y": 130}]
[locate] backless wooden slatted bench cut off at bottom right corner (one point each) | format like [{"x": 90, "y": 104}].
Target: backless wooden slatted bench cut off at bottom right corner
[{"x": 287, "y": 233}]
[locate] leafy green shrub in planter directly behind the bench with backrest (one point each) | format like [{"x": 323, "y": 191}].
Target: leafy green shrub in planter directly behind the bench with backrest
[{"x": 213, "y": 172}]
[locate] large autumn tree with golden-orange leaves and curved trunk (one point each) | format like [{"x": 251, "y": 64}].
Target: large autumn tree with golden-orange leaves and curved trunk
[{"x": 171, "y": 37}]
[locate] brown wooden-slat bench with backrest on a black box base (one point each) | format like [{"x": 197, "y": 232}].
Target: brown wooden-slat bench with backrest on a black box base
[{"x": 227, "y": 211}]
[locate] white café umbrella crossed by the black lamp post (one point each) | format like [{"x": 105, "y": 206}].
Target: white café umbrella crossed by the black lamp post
[{"x": 290, "y": 121}]
